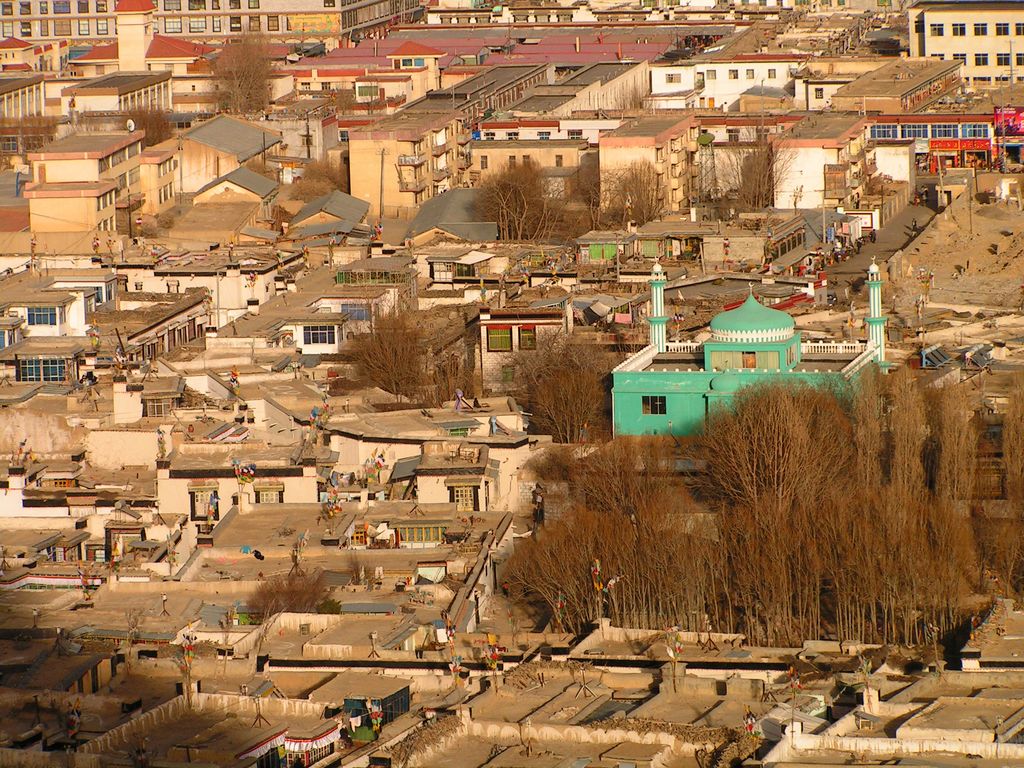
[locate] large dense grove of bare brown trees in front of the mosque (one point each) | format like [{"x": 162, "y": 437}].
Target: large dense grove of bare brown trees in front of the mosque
[{"x": 816, "y": 515}]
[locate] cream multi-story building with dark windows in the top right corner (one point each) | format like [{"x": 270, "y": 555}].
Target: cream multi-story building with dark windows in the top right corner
[{"x": 986, "y": 36}]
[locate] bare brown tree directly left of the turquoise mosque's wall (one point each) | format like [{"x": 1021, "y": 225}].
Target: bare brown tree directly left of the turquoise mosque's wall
[{"x": 562, "y": 383}]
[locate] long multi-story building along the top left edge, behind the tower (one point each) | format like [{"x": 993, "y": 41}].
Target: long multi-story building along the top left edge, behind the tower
[{"x": 94, "y": 21}]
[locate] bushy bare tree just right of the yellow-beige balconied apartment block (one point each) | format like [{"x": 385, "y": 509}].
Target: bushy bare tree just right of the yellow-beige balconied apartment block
[{"x": 518, "y": 201}]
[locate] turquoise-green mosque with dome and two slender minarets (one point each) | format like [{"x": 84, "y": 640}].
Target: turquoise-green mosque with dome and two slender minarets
[{"x": 670, "y": 388}]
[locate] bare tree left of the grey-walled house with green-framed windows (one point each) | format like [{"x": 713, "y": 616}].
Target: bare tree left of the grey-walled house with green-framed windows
[{"x": 393, "y": 357}]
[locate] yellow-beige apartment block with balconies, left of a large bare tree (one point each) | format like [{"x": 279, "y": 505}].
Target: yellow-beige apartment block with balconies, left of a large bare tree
[{"x": 402, "y": 161}]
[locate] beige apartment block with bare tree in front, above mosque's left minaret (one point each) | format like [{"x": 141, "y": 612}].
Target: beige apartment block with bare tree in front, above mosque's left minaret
[{"x": 669, "y": 144}]
